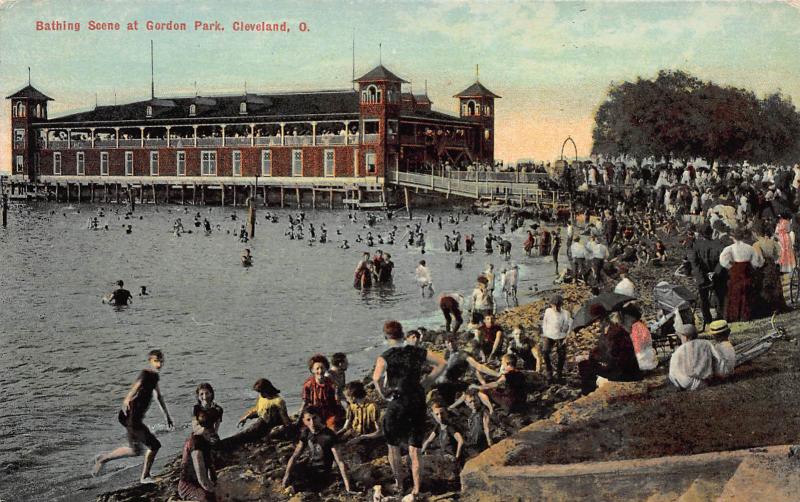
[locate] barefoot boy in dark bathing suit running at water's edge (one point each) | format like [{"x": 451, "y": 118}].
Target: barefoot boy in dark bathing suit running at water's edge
[{"x": 133, "y": 410}]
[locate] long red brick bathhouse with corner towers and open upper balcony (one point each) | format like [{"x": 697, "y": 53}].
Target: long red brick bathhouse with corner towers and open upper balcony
[{"x": 341, "y": 134}]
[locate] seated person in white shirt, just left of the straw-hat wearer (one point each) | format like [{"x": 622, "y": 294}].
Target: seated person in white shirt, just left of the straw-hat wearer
[{"x": 693, "y": 362}]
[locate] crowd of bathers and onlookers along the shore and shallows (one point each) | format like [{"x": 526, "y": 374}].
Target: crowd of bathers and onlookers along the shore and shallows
[{"x": 736, "y": 241}]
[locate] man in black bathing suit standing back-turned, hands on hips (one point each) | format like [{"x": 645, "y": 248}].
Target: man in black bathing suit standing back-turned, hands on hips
[{"x": 405, "y": 416}]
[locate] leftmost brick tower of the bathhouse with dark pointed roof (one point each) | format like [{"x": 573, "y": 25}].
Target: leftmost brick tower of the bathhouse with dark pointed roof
[{"x": 28, "y": 107}]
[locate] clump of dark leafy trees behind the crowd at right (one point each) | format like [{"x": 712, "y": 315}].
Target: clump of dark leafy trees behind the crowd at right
[{"x": 678, "y": 116}]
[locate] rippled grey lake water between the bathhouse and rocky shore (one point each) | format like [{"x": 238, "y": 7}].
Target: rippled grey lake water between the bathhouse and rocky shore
[{"x": 67, "y": 360}]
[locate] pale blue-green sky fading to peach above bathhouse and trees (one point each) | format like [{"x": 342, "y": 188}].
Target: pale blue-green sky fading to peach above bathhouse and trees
[{"x": 551, "y": 62}]
